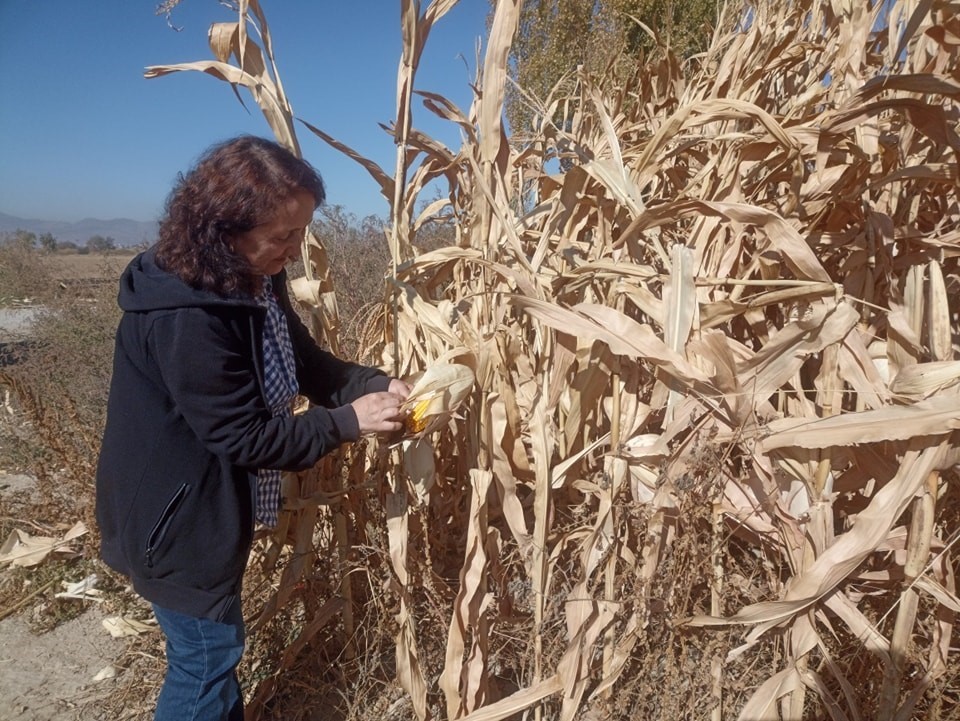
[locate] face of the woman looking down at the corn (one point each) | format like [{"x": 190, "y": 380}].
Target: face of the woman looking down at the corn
[{"x": 269, "y": 246}]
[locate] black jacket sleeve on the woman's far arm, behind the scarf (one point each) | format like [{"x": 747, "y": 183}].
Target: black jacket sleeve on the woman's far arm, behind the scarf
[{"x": 325, "y": 379}]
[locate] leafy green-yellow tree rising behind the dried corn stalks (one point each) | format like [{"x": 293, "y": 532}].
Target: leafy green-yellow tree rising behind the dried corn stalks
[{"x": 555, "y": 37}]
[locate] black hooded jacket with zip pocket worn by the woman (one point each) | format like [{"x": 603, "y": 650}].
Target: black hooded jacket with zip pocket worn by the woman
[{"x": 188, "y": 426}]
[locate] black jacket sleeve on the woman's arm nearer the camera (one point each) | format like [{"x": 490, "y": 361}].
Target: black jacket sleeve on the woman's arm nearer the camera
[{"x": 206, "y": 362}]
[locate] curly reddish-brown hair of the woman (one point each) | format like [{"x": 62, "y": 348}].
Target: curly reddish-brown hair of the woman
[{"x": 235, "y": 186}]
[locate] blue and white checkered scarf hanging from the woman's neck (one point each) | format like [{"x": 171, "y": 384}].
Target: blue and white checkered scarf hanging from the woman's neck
[{"x": 280, "y": 387}]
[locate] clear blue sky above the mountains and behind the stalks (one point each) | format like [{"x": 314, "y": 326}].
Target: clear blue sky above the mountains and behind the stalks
[{"x": 84, "y": 135}]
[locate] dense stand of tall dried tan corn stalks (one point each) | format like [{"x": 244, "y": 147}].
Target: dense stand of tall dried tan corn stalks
[{"x": 706, "y": 468}]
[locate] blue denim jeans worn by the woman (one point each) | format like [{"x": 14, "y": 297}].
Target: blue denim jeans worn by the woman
[{"x": 202, "y": 656}]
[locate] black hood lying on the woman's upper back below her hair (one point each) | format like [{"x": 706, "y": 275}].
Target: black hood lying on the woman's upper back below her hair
[{"x": 144, "y": 286}]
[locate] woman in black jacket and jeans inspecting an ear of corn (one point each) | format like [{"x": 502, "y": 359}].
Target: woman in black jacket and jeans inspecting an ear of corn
[{"x": 209, "y": 355}]
